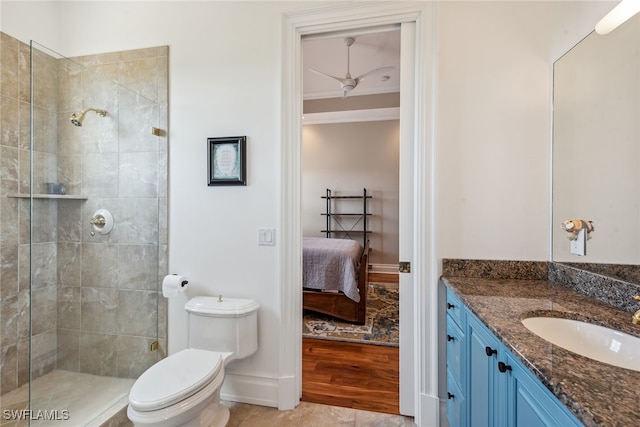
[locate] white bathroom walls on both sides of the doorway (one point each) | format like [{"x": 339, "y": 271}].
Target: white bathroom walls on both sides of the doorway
[{"x": 492, "y": 145}]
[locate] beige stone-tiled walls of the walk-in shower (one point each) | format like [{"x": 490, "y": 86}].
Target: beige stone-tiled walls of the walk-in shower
[{"x": 72, "y": 299}]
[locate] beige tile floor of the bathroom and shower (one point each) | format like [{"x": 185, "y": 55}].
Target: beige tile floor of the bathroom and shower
[{"x": 92, "y": 400}]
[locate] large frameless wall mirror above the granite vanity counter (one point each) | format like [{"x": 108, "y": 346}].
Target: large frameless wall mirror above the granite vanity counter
[{"x": 596, "y": 147}]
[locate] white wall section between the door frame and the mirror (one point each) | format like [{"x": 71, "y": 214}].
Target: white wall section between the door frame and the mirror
[{"x": 494, "y": 117}]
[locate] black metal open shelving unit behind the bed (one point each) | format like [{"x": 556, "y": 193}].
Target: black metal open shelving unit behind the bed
[{"x": 336, "y": 226}]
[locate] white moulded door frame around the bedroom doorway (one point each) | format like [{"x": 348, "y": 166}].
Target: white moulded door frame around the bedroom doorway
[{"x": 419, "y": 381}]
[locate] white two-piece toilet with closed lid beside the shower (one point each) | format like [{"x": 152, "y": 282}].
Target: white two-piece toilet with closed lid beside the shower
[{"x": 184, "y": 388}]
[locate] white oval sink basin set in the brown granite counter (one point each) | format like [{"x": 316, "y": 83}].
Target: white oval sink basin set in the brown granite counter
[{"x": 589, "y": 340}]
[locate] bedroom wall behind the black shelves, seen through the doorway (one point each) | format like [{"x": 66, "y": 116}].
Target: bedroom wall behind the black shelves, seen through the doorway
[{"x": 347, "y": 157}]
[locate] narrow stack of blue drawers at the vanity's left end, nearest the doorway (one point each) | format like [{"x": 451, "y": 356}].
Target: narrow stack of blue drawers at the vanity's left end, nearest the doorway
[{"x": 456, "y": 361}]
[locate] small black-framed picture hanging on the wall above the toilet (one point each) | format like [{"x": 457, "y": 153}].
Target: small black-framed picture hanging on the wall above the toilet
[{"x": 227, "y": 160}]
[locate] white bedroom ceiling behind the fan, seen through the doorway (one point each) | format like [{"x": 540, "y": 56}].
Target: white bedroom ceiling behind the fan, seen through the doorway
[{"x": 371, "y": 50}]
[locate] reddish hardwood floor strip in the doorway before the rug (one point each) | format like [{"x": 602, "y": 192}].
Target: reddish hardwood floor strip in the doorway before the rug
[{"x": 351, "y": 375}]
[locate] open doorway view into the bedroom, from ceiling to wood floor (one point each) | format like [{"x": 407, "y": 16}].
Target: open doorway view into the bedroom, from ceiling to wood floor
[{"x": 350, "y": 191}]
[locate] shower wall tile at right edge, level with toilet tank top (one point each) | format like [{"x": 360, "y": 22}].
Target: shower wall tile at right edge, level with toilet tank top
[{"x": 137, "y": 313}]
